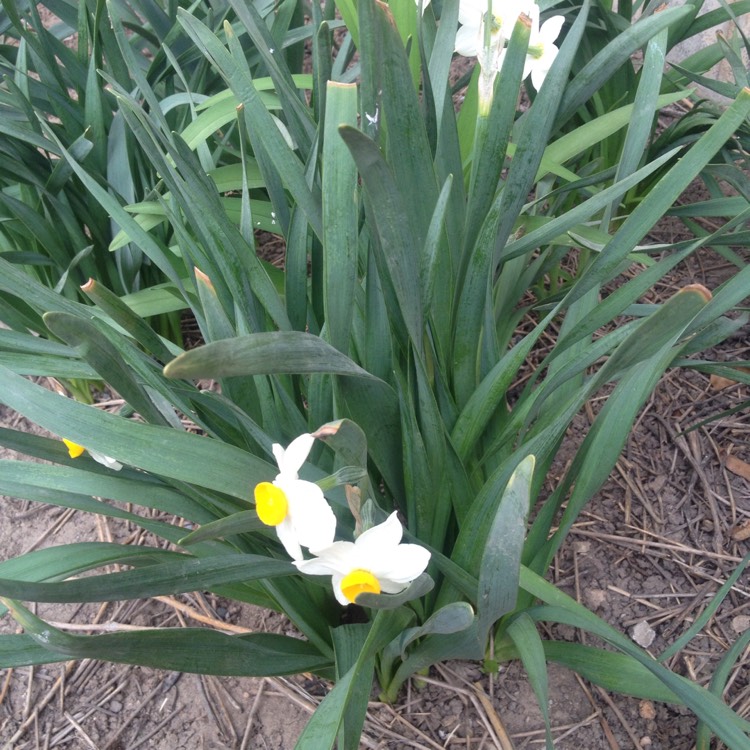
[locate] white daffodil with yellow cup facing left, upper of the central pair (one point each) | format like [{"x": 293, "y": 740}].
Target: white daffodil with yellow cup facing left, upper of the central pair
[{"x": 296, "y": 508}]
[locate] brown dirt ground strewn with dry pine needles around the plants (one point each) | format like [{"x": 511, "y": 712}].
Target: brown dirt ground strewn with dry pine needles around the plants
[{"x": 654, "y": 545}]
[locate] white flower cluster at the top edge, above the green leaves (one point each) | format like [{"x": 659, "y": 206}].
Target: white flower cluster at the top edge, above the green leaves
[{"x": 470, "y": 38}]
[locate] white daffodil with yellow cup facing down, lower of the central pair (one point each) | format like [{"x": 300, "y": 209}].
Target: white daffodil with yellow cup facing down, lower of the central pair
[{"x": 376, "y": 562}]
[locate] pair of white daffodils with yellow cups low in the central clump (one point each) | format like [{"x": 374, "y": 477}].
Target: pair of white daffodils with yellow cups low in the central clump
[{"x": 375, "y": 562}]
